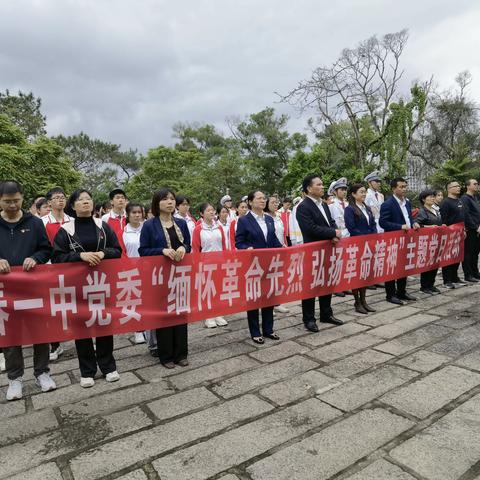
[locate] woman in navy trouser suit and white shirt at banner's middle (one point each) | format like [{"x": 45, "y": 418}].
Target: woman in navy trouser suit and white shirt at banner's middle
[{"x": 257, "y": 230}]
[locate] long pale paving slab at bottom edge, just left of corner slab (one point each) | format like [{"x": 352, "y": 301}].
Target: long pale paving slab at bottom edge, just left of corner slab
[{"x": 328, "y": 452}]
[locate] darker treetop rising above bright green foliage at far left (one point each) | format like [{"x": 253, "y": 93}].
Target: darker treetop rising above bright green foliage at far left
[{"x": 24, "y": 111}]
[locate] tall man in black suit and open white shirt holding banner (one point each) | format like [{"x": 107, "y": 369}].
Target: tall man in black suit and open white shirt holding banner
[{"x": 316, "y": 223}]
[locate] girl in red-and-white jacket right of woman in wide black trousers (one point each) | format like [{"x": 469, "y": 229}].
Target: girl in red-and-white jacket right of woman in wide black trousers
[{"x": 208, "y": 236}]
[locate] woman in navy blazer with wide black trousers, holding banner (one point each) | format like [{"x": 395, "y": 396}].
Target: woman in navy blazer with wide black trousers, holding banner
[{"x": 169, "y": 236}]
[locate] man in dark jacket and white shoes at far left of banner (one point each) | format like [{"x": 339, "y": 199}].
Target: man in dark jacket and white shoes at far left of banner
[{"x": 23, "y": 242}]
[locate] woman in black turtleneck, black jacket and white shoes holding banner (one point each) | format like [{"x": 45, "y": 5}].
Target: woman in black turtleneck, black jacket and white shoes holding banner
[{"x": 88, "y": 239}]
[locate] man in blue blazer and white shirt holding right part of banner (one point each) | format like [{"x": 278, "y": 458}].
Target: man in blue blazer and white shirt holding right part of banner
[{"x": 396, "y": 214}]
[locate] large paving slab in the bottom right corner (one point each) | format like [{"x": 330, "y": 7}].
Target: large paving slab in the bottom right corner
[{"x": 448, "y": 448}]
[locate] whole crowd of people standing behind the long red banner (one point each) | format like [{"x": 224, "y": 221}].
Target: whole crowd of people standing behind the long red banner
[{"x": 58, "y": 229}]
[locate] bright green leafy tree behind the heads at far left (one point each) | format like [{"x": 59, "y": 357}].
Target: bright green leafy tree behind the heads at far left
[{"x": 38, "y": 165}]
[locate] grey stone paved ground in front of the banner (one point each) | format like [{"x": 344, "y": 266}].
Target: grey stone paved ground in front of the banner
[{"x": 392, "y": 395}]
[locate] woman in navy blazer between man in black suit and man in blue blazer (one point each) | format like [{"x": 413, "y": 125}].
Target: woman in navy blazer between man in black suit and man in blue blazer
[{"x": 359, "y": 220}]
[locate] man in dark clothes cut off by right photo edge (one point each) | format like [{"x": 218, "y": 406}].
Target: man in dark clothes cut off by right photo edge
[{"x": 471, "y": 208}]
